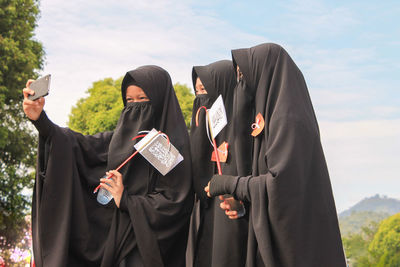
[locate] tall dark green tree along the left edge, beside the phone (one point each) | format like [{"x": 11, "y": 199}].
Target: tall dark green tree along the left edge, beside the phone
[{"x": 21, "y": 56}]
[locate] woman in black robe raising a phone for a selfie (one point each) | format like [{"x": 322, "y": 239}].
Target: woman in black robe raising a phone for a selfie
[{"x": 147, "y": 222}]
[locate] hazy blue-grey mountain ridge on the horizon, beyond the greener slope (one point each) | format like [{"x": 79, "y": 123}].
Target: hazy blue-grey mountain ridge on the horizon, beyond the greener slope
[{"x": 377, "y": 203}]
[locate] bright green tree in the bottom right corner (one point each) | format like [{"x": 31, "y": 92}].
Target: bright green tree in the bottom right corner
[{"x": 384, "y": 249}]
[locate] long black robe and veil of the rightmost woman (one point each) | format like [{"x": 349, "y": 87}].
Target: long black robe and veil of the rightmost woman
[{"x": 293, "y": 220}]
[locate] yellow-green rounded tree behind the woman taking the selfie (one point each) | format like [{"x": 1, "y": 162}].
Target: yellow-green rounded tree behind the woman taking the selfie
[{"x": 100, "y": 111}]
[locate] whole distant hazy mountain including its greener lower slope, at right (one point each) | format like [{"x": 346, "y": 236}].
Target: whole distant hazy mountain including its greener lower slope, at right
[{"x": 367, "y": 211}]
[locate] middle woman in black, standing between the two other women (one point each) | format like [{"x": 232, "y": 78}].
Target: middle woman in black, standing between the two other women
[{"x": 214, "y": 239}]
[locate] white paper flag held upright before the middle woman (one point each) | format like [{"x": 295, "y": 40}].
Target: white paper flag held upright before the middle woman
[{"x": 217, "y": 117}]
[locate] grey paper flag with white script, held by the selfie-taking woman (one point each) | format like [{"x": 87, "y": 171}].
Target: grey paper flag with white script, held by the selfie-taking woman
[{"x": 156, "y": 149}]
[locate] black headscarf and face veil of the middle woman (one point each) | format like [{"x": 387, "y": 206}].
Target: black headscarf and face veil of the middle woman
[{"x": 218, "y": 79}]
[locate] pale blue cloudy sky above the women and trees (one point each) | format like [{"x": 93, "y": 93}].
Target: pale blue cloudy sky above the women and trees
[{"x": 348, "y": 52}]
